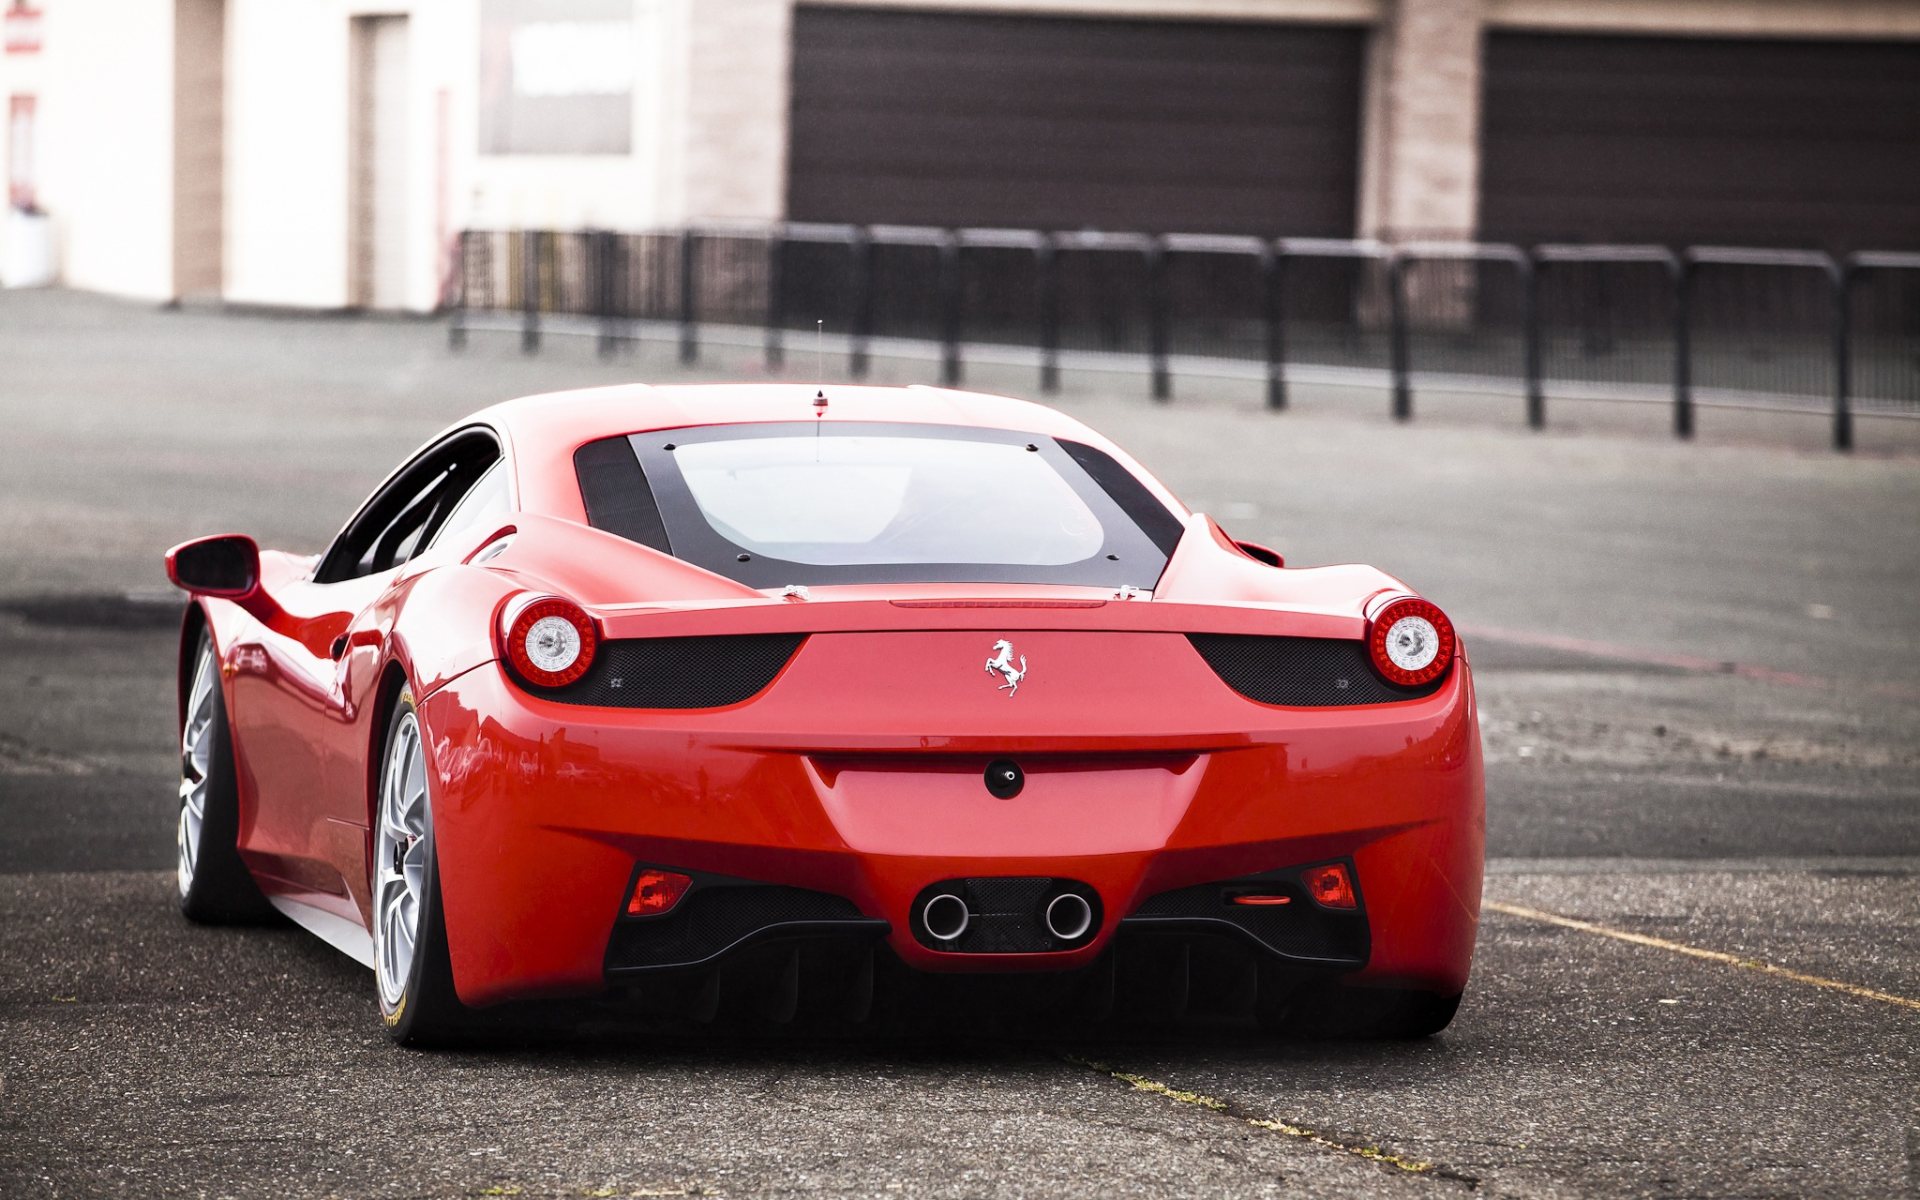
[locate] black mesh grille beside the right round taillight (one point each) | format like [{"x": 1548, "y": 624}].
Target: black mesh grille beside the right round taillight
[{"x": 1303, "y": 673}]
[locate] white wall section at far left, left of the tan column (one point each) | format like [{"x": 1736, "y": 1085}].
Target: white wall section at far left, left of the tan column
[{"x": 103, "y": 89}]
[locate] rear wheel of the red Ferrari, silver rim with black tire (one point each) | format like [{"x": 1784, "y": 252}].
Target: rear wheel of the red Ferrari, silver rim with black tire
[{"x": 410, "y": 940}]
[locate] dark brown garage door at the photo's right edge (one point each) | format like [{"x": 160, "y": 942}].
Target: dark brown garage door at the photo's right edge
[{"x": 1702, "y": 141}]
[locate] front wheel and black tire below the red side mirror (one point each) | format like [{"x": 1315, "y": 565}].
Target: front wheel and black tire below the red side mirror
[{"x": 214, "y": 884}]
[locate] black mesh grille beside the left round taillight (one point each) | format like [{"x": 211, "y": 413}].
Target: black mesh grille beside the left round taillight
[{"x": 679, "y": 673}]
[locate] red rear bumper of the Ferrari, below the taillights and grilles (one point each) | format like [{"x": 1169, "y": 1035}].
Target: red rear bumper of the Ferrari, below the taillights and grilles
[{"x": 544, "y": 813}]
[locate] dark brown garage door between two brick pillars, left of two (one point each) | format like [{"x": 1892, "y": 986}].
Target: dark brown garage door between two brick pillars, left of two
[{"x": 1074, "y": 124}]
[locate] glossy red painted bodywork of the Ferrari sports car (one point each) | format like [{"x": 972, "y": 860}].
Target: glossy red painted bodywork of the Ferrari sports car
[{"x": 857, "y": 769}]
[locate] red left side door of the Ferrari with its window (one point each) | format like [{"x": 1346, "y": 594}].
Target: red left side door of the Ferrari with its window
[{"x": 304, "y": 706}]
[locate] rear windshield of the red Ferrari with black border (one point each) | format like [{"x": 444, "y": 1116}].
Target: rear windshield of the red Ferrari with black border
[{"x": 846, "y": 504}]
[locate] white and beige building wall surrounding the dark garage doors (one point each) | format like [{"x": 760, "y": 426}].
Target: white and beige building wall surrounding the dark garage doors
[{"x": 709, "y": 124}]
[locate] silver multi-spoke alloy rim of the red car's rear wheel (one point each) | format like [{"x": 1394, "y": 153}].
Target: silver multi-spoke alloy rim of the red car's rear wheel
[{"x": 400, "y": 859}]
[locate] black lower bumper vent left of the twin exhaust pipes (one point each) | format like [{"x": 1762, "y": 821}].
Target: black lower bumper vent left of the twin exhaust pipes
[{"x": 719, "y": 917}]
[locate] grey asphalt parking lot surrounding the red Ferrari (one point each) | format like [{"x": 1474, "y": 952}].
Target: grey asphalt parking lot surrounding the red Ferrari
[{"x": 1700, "y": 957}]
